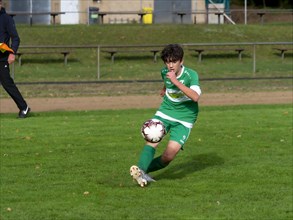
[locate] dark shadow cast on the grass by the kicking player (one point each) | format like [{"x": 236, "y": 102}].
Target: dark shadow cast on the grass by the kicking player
[{"x": 196, "y": 163}]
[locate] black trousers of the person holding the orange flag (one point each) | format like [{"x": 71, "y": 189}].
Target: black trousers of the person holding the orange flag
[{"x": 10, "y": 87}]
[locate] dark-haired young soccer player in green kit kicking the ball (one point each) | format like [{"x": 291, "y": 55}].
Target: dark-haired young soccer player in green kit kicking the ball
[{"x": 178, "y": 112}]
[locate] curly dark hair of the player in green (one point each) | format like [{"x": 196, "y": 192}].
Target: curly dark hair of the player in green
[{"x": 172, "y": 53}]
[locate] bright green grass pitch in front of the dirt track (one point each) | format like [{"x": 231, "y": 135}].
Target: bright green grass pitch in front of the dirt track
[{"x": 236, "y": 165}]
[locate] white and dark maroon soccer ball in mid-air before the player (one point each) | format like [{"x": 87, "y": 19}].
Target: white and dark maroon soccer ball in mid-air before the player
[{"x": 153, "y": 130}]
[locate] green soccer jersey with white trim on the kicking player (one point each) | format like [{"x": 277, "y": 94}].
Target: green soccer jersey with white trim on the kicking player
[{"x": 176, "y": 106}]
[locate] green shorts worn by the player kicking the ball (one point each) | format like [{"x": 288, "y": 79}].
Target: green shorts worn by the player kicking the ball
[{"x": 178, "y": 132}]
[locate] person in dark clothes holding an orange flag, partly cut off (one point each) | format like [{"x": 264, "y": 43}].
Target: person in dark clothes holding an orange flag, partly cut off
[{"x": 9, "y": 33}]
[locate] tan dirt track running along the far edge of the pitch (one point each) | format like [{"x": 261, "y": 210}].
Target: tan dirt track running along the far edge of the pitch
[{"x": 143, "y": 101}]
